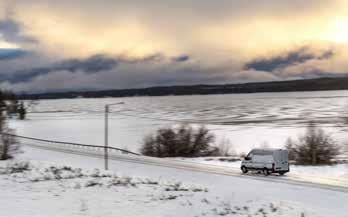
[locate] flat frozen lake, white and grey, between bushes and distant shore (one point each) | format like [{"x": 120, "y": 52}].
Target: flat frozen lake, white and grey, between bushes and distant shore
[{"x": 247, "y": 120}]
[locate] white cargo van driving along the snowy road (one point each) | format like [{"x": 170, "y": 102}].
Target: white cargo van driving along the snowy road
[{"x": 266, "y": 160}]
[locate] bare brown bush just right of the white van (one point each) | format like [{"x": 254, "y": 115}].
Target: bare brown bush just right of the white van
[{"x": 314, "y": 148}]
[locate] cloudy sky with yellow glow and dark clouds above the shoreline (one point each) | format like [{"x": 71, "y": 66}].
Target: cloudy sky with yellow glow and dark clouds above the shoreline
[{"x": 111, "y": 44}]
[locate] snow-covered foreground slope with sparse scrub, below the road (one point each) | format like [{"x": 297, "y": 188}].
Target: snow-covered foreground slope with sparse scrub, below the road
[{"x": 54, "y": 185}]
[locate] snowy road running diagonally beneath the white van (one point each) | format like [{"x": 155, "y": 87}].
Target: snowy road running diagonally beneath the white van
[{"x": 291, "y": 178}]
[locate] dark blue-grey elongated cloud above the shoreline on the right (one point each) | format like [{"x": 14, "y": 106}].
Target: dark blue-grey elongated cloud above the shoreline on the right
[{"x": 299, "y": 56}]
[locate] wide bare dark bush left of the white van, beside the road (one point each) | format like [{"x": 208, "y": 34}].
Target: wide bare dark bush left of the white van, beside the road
[{"x": 180, "y": 142}]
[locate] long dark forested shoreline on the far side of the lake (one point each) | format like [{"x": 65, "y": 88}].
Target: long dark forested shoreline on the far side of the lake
[{"x": 319, "y": 84}]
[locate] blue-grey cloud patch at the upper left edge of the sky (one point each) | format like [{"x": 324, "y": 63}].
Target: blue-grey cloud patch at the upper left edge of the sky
[{"x": 12, "y": 31}]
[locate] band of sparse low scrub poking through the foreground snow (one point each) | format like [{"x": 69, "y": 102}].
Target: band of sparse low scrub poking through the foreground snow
[{"x": 31, "y": 172}]
